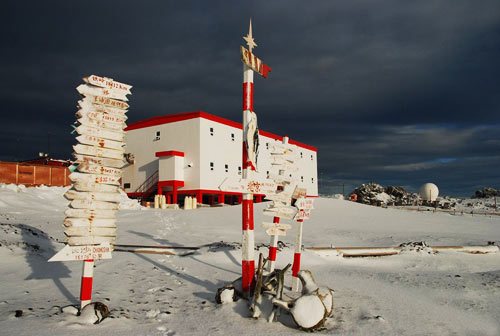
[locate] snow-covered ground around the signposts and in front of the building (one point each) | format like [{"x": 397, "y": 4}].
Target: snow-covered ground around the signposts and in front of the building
[{"x": 413, "y": 293}]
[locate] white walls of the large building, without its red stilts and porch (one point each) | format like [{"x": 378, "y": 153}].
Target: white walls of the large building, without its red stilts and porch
[{"x": 205, "y": 141}]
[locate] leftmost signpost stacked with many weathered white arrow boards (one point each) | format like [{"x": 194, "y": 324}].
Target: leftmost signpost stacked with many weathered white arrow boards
[{"x": 90, "y": 224}]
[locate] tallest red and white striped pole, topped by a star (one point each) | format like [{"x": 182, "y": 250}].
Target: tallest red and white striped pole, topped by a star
[{"x": 248, "y": 243}]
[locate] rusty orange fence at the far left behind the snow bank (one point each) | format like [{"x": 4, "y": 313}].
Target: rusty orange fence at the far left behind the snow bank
[{"x": 32, "y": 175}]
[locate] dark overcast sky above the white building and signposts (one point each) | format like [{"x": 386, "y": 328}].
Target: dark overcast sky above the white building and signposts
[{"x": 398, "y": 92}]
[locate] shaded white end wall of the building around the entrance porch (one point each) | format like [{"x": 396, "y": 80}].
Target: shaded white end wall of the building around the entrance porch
[{"x": 143, "y": 144}]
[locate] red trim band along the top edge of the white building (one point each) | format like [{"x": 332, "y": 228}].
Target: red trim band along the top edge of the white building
[{"x": 202, "y": 114}]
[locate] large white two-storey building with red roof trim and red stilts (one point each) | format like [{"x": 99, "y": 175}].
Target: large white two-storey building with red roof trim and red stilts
[{"x": 191, "y": 154}]
